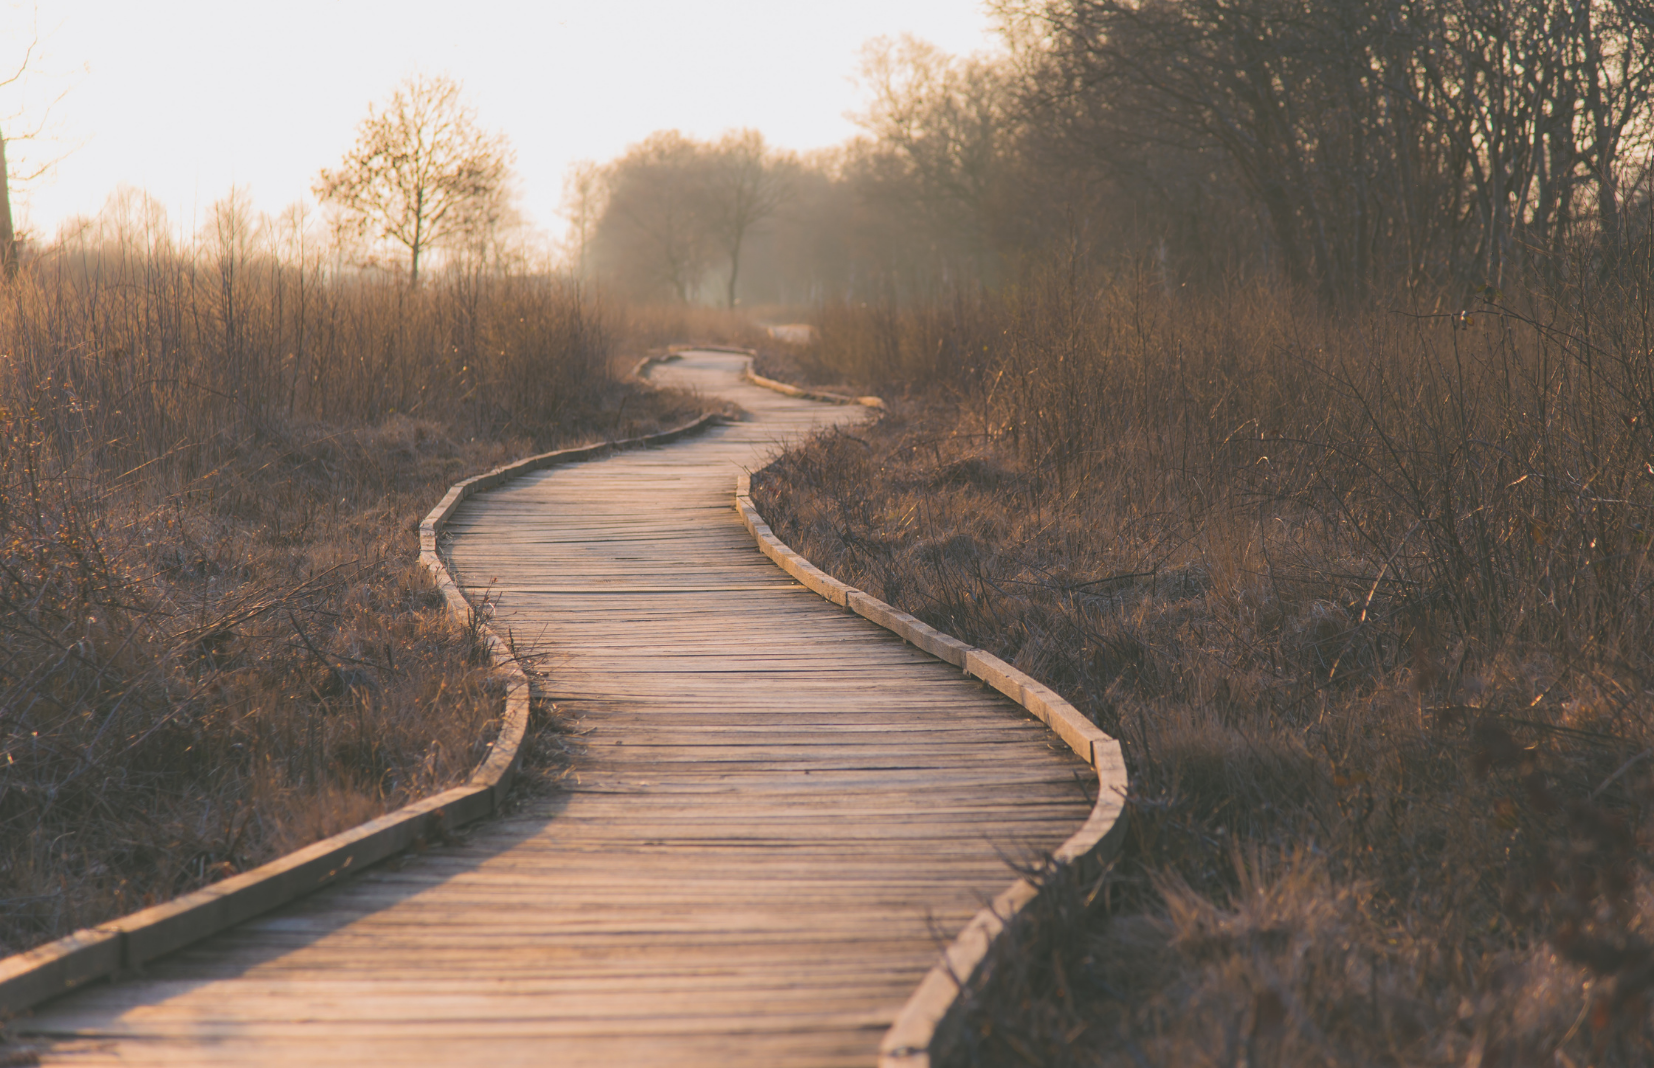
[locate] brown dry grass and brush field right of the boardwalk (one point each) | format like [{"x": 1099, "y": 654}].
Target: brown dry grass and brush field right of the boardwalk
[{"x": 1367, "y": 598}]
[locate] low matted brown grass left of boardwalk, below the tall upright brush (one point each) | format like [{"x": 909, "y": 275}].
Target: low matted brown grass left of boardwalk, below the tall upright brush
[{"x": 198, "y": 685}]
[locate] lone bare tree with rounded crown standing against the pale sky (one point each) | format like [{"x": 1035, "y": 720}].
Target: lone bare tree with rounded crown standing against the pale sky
[{"x": 423, "y": 173}]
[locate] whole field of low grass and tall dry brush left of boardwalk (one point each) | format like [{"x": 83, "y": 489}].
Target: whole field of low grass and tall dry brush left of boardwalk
[{"x": 216, "y": 641}]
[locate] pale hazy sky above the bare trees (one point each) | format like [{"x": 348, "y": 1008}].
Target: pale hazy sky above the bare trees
[{"x": 186, "y": 98}]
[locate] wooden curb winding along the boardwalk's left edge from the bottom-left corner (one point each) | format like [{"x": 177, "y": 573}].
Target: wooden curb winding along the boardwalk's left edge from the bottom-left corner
[{"x": 127, "y": 945}]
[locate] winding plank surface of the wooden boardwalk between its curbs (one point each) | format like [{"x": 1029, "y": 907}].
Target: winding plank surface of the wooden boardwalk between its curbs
[{"x": 777, "y": 816}]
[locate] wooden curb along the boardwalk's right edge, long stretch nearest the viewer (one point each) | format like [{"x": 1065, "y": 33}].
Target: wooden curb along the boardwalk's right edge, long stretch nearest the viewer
[{"x": 907, "y": 1044}]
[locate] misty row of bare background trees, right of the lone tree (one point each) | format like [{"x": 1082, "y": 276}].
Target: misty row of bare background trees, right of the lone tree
[{"x": 1342, "y": 145}]
